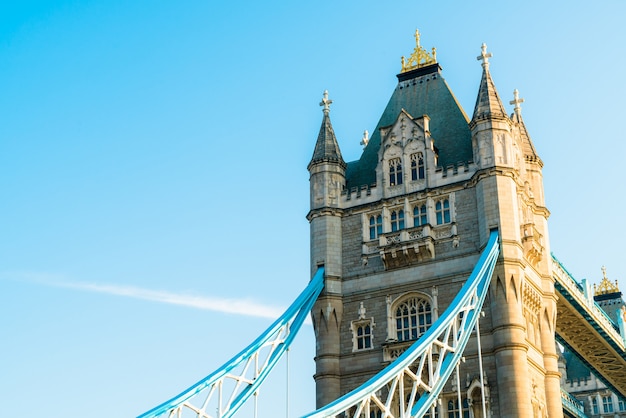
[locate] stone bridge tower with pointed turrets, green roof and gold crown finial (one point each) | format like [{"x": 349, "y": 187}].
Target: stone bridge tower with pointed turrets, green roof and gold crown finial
[{"x": 400, "y": 229}]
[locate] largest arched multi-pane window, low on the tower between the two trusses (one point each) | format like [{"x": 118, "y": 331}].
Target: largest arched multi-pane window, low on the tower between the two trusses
[{"x": 413, "y": 317}]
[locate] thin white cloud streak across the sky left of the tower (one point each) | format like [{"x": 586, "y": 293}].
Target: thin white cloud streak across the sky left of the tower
[{"x": 244, "y": 307}]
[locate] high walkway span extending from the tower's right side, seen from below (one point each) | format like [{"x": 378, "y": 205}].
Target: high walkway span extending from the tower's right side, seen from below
[{"x": 586, "y": 330}]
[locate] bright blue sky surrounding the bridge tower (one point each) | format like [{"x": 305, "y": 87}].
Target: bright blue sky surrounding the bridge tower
[{"x": 153, "y": 170}]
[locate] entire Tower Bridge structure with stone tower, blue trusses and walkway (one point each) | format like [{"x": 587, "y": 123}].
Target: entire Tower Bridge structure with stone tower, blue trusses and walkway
[{"x": 432, "y": 288}]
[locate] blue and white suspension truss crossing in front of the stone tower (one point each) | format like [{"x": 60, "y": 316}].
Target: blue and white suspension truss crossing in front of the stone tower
[{"x": 410, "y": 386}]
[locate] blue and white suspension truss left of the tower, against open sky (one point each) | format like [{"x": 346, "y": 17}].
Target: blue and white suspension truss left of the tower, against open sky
[{"x": 224, "y": 391}]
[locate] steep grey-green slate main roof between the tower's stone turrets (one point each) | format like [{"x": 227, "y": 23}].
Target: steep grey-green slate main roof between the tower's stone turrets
[{"x": 419, "y": 92}]
